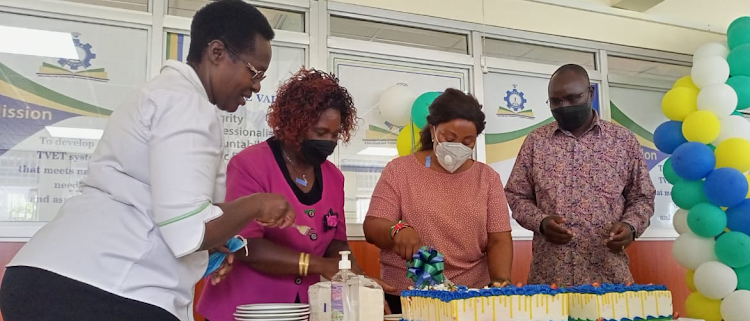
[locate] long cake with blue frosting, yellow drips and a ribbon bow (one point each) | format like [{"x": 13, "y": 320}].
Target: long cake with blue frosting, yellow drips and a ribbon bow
[{"x": 434, "y": 298}]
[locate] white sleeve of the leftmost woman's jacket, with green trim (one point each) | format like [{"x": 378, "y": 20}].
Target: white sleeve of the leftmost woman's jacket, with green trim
[{"x": 185, "y": 146}]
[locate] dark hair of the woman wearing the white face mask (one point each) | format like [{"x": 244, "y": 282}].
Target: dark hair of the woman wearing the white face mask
[{"x": 452, "y": 104}]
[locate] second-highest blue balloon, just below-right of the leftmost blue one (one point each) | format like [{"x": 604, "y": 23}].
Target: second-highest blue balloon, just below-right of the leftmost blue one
[{"x": 693, "y": 161}]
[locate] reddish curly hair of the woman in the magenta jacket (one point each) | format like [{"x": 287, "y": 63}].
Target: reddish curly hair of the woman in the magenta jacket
[{"x": 302, "y": 99}]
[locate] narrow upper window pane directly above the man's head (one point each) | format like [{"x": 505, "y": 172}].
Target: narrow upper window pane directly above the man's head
[{"x": 538, "y": 54}]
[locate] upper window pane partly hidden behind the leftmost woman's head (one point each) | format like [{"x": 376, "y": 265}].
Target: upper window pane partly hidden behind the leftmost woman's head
[{"x": 279, "y": 19}]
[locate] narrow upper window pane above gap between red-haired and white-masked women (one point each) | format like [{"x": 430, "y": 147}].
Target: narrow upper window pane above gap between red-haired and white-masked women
[{"x": 398, "y": 35}]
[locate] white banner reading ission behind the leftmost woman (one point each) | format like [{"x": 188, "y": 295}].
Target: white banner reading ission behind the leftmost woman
[{"x": 53, "y": 110}]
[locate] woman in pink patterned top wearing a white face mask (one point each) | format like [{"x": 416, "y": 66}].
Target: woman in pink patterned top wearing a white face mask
[{"x": 440, "y": 197}]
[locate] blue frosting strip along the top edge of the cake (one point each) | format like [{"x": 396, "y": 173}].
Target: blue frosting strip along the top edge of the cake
[{"x": 463, "y": 292}]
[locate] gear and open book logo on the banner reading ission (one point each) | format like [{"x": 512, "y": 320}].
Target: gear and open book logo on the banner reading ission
[{"x": 75, "y": 68}]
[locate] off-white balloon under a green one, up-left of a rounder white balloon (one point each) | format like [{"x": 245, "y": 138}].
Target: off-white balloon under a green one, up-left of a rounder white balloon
[{"x": 690, "y": 250}]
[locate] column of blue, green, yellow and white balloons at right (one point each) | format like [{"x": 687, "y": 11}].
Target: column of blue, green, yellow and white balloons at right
[{"x": 709, "y": 142}]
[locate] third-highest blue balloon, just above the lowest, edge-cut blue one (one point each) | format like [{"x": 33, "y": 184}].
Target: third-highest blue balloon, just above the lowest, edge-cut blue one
[{"x": 726, "y": 187}]
